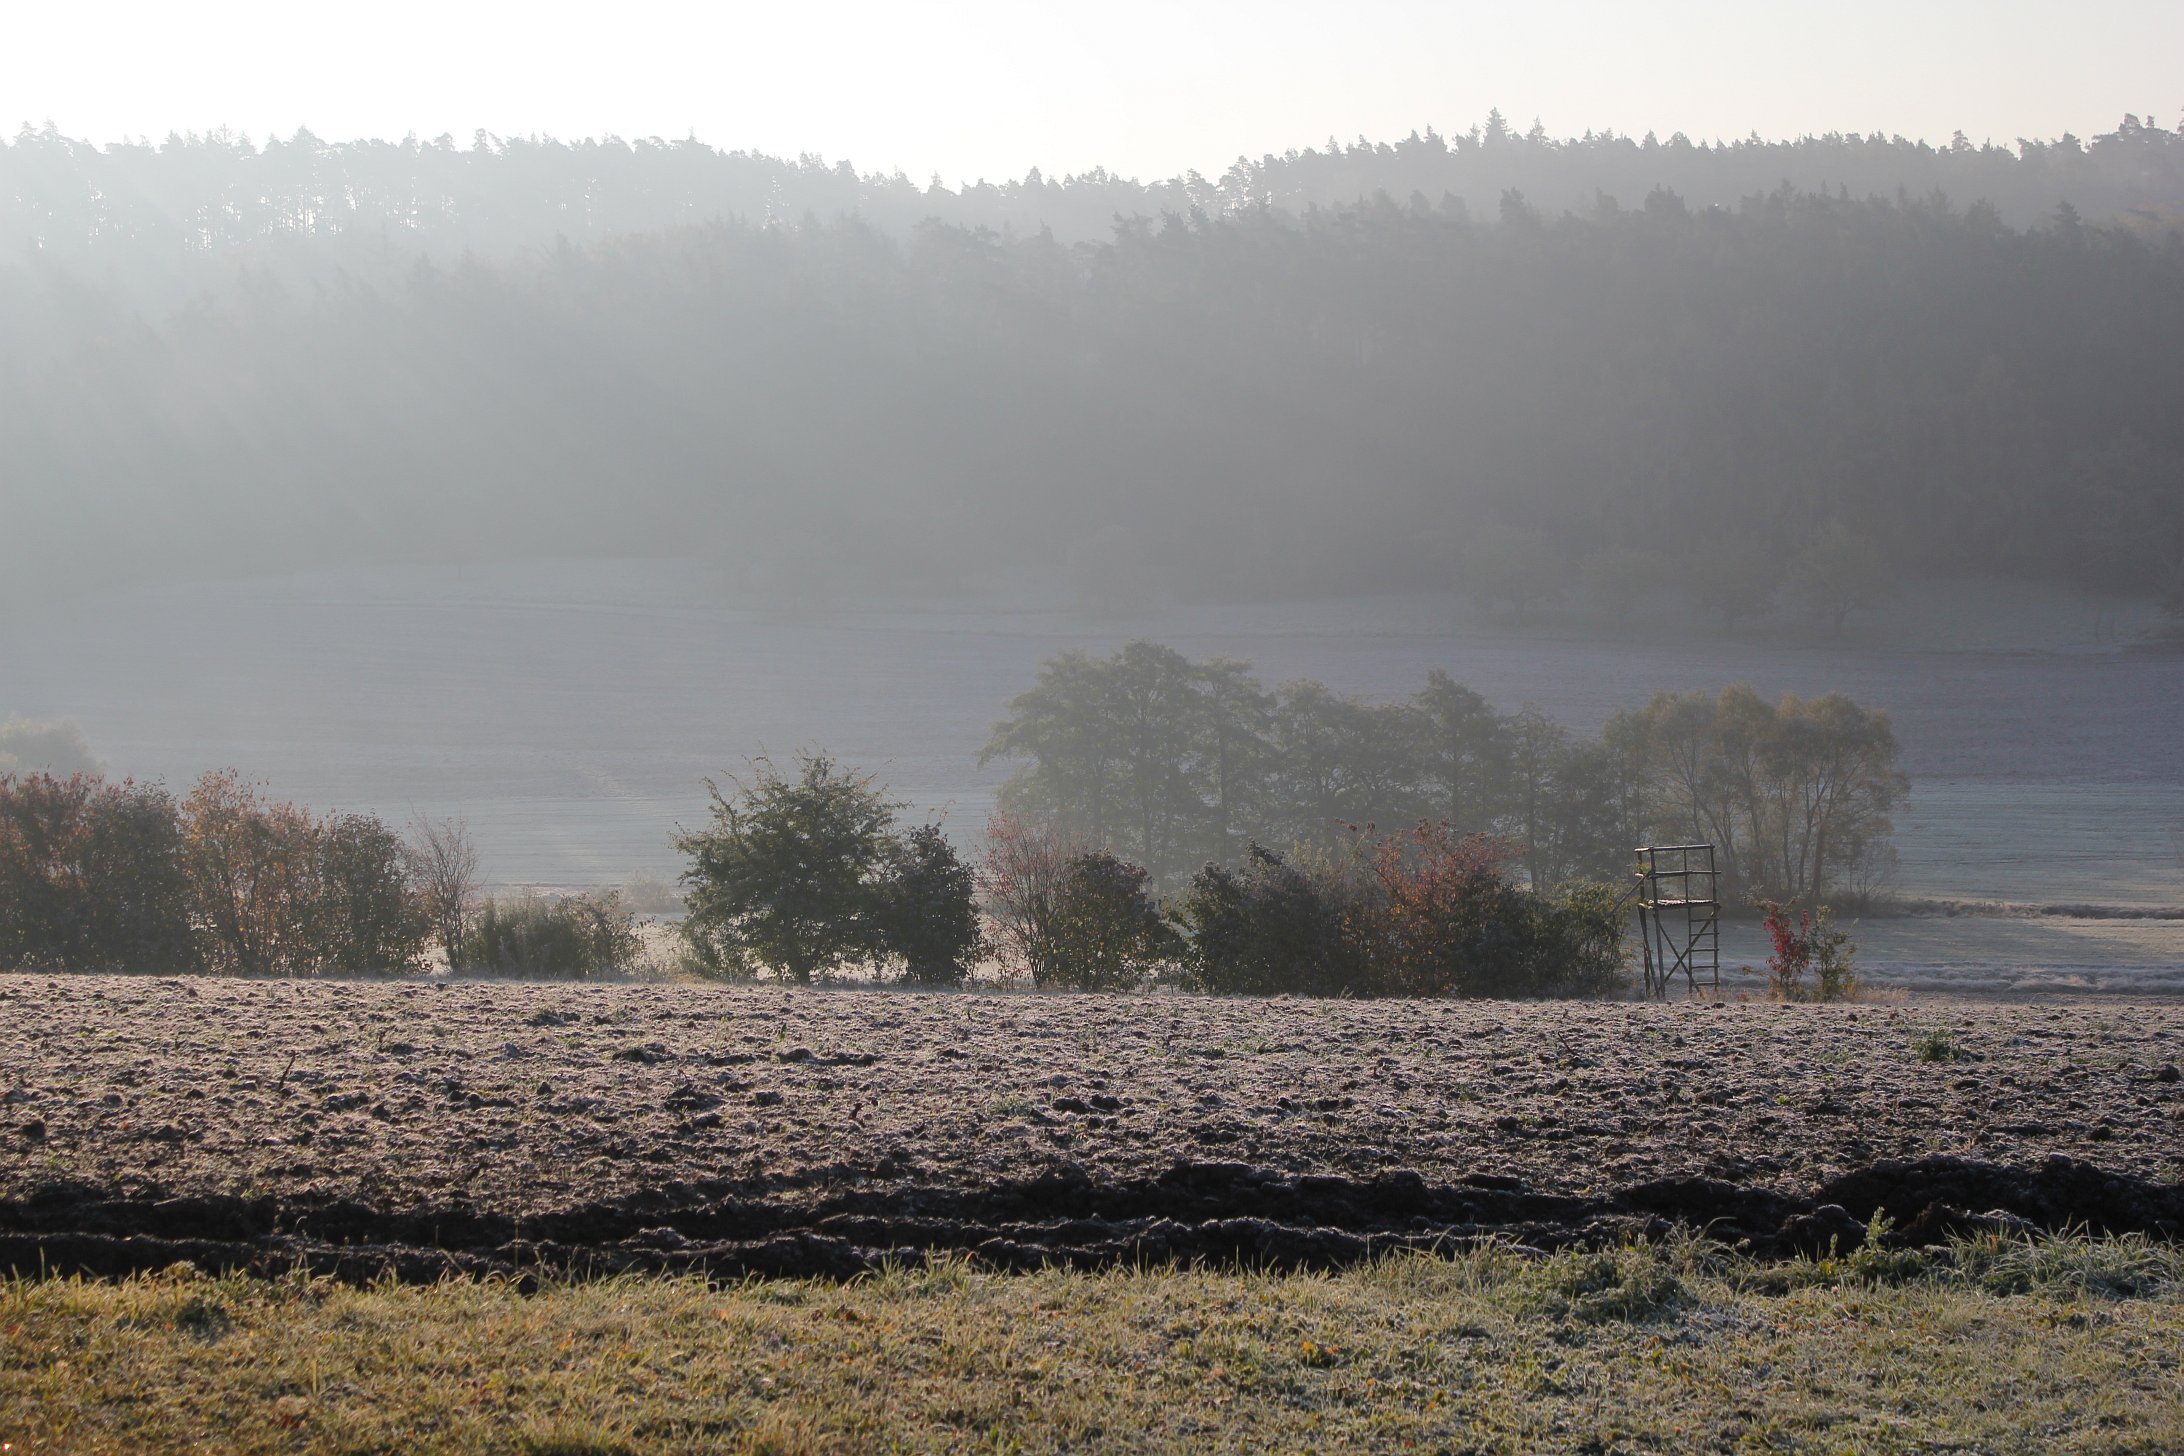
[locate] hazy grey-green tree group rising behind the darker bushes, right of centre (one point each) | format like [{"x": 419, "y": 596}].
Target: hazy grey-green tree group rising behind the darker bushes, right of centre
[{"x": 1178, "y": 765}]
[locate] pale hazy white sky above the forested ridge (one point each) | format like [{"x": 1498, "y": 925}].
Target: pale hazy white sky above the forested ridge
[{"x": 1146, "y": 88}]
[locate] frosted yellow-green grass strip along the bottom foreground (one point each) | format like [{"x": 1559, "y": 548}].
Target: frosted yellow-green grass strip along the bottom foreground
[{"x": 2056, "y": 1346}]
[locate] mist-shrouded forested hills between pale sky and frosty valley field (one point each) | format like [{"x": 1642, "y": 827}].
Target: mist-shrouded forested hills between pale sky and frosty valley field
[{"x": 1473, "y": 361}]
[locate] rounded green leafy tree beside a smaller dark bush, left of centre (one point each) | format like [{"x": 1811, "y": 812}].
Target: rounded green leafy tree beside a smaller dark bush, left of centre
[{"x": 792, "y": 874}]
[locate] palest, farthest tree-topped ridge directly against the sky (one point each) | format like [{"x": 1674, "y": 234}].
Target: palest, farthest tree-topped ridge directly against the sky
[{"x": 154, "y": 213}]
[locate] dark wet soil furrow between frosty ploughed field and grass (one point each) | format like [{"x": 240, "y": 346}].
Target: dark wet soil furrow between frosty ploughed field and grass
[{"x": 1194, "y": 1213}]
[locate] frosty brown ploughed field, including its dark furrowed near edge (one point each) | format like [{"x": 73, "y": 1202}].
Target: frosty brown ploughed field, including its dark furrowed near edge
[{"x": 471, "y": 1127}]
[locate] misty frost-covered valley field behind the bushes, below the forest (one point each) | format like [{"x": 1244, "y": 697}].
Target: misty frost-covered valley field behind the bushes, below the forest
[{"x": 571, "y": 713}]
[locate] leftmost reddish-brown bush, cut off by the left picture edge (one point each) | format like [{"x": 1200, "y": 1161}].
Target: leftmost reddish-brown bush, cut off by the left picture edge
[{"x": 91, "y": 879}]
